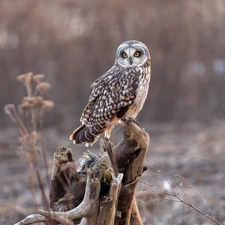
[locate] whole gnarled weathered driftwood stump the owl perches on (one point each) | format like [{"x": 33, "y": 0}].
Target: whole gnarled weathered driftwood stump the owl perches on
[{"x": 101, "y": 190}]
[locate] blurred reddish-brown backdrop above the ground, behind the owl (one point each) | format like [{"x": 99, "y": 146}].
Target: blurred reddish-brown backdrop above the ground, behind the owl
[{"x": 74, "y": 42}]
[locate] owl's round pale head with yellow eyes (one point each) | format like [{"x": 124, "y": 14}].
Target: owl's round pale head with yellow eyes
[{"x": 132, "y": 53}]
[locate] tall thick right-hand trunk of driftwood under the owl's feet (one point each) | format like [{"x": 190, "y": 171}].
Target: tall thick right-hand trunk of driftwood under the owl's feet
[{"x": 130, "y": 154}]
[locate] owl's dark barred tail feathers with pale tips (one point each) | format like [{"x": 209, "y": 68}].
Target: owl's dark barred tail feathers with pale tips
[{"x": 87, "y": 134}]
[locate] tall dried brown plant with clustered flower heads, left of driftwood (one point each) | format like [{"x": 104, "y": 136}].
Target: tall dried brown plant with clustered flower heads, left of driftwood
[{"x": 28, "y": 118}]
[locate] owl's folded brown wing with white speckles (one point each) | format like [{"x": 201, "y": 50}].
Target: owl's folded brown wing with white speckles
[{"x": 111, "y": 96}]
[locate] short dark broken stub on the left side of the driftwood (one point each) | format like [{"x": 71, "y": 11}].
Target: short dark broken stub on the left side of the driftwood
[{"x": 67, "y": 188}]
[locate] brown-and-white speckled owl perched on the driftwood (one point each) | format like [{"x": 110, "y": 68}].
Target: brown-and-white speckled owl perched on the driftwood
[{"x": 119, "y": 93}]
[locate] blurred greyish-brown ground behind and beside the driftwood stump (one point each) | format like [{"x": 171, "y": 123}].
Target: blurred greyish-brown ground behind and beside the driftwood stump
[{"x": 189, "y": 156}]
